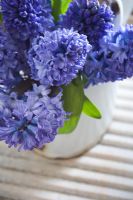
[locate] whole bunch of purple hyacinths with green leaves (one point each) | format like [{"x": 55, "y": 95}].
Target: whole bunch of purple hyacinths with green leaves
[{"x": 50, "y": 50}]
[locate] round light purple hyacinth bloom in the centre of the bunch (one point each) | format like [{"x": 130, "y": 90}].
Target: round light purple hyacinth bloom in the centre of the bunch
[{"x": 57, "y": 57}]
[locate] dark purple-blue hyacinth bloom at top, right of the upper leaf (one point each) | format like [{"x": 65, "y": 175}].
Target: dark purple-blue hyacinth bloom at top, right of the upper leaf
[{"x": 88, "y": 18}]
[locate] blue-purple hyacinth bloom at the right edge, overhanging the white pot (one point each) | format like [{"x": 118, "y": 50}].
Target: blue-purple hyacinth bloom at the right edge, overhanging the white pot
[{"x": 115, "y": 59}]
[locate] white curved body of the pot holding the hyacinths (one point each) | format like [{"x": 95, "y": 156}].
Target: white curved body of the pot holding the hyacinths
[{"x": 89, "y": 131}]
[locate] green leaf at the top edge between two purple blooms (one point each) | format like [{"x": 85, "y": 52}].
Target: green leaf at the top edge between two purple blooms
[{"x": 59, "y": 7}]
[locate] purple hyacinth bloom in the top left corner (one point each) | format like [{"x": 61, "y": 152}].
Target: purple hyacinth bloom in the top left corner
[{"x": 24, "y": 19}]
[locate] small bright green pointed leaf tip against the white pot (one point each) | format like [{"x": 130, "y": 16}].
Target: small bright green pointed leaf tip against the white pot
[{"x": 90, "y": 109}]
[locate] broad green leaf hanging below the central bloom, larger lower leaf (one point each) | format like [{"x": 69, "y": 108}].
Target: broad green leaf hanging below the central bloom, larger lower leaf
[{"x": 73, "y": 98}]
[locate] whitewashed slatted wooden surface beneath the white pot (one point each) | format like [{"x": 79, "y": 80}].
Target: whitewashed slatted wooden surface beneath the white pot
[{"x": 103, "y": 173}]
